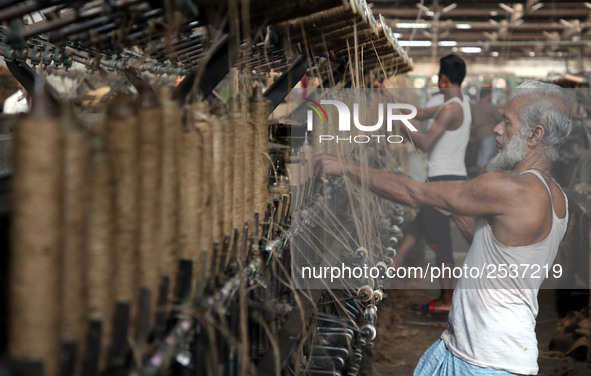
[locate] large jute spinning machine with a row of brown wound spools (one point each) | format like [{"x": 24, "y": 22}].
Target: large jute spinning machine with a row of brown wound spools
[{"x": 156, "y": 240}]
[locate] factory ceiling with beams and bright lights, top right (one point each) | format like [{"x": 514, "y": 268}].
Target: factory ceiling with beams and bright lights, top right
[{"x": 490, "y": 30}]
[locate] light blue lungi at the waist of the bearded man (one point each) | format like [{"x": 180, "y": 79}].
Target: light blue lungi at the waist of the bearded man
[{"x": 439, "y": 361}]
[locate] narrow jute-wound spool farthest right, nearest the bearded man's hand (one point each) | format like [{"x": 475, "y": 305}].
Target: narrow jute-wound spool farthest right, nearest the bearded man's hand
[{"x": 259, "y": 110}]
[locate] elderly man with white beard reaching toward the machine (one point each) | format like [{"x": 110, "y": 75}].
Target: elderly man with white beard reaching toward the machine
[{"x": 513, "y": 215}]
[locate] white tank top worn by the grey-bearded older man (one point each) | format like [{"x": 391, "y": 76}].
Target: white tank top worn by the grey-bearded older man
[{"x": 492, "y": 322}]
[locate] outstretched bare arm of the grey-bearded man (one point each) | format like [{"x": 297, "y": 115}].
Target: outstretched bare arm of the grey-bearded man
[{"x": 488, "y": 194}]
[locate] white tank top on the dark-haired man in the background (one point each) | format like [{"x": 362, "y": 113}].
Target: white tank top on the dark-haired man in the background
[{"x": 447, "y": 156}]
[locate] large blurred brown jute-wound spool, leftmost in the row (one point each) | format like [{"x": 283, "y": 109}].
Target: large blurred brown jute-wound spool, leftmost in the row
[{"x": 36, "y": 226}]
